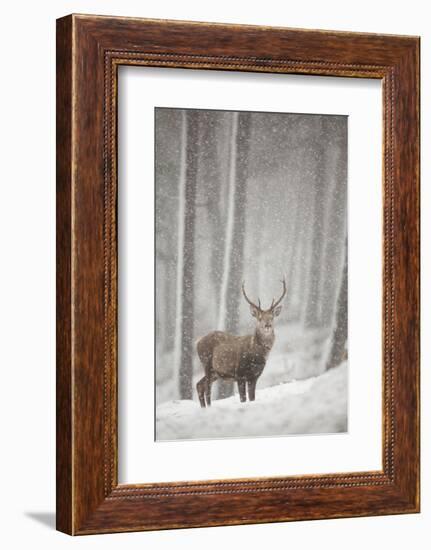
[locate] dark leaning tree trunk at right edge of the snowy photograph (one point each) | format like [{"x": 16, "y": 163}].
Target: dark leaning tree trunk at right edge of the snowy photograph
[{"x": 338, "y": 350}]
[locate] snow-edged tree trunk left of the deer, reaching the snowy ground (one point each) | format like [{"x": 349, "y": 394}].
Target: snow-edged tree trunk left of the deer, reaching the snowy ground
[{"x": 186, "y": 264}]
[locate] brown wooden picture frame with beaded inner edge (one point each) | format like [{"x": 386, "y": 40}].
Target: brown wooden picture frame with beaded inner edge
[{"x": 89, "y": 51}]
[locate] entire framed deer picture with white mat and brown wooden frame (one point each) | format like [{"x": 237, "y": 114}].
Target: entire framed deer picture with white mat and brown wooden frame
[{"x": 237, "y": 274}]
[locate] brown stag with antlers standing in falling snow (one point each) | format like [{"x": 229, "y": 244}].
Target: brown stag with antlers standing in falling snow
[{"x": 240, "y": 358}]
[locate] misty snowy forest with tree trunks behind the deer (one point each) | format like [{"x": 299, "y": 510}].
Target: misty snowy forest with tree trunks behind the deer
[{"x": 254, "y": 197}]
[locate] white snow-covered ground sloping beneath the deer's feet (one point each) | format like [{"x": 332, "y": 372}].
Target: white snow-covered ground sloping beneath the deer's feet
[{"x": 311, "y": 406}]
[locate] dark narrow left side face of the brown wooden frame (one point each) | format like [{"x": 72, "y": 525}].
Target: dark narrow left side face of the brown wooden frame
[{"x": 63, "y": 289}]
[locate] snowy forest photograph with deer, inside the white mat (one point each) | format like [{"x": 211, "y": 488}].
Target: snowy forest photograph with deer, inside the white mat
[{"x": 251, "y": 270}]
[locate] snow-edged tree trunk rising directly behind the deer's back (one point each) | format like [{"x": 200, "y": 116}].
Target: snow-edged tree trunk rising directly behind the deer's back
[{"x": 235, "y": 233}]
